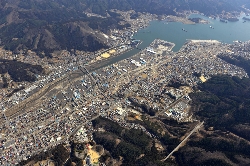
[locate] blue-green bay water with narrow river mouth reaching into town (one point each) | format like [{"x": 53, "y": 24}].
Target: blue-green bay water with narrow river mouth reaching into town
[{"x": 172, "y": 32}]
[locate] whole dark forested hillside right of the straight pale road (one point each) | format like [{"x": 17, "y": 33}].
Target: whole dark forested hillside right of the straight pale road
[{"x": 224, "y": 104}]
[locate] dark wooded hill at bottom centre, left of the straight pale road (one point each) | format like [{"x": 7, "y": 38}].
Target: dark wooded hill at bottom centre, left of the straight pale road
[{"x": 132, "y": 143}]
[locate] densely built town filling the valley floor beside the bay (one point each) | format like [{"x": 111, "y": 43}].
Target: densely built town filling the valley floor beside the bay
[{"x": 79, "y": 88}]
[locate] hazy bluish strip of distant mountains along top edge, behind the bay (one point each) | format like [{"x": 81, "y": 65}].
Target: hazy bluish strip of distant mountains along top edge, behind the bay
[{"x": 151, "y": 6}]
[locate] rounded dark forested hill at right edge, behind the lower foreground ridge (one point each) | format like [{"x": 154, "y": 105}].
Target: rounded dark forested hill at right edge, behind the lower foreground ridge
[{"x": 224, "y": 103}]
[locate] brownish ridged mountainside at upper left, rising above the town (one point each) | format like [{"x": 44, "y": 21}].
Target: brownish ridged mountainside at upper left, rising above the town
[{"x": 45, "y": 27}]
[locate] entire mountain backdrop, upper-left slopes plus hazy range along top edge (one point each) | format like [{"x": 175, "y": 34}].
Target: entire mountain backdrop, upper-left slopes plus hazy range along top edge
[{"x": 46, "y": 25}]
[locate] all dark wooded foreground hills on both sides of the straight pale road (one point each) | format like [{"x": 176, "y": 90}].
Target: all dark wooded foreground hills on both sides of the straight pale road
[{"x": 223, "y": 103}]
